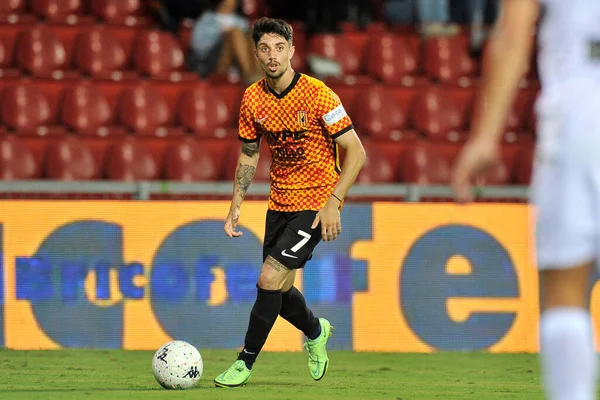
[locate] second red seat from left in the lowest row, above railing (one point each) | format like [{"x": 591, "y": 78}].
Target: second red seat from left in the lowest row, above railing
[{"x": 70, "y": 159}]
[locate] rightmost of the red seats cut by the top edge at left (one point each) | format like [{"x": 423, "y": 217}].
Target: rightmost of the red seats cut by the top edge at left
[{"x": 121, "y": 12}]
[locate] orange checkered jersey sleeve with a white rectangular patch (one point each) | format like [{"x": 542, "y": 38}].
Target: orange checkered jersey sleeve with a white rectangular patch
[{"x": 331, "y": 113}]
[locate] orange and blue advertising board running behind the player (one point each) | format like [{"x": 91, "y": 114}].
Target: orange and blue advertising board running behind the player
[{"x": 401, "y": 278}]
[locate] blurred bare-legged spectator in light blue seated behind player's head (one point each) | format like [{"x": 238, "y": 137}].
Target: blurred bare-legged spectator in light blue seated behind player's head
[{"x": 221, "y": 40}]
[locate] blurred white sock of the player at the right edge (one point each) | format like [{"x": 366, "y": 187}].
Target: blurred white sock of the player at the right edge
[{"x": 567, "y": 354}]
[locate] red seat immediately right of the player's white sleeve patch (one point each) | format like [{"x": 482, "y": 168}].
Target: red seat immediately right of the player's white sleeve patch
[{"x": 378, "y": 114}]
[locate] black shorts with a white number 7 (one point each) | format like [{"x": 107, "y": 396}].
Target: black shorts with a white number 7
[{"x": 289, "y": 238}]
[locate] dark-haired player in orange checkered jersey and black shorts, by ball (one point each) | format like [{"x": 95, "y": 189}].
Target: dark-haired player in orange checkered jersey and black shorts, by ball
[{"x": 303, "y": 122}]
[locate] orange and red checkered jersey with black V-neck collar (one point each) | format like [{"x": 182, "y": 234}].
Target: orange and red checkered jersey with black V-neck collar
[{"x": 299, "y": 126}]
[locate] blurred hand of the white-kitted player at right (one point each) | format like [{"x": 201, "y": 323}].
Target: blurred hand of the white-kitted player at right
[{"x": 474, "y": 160}]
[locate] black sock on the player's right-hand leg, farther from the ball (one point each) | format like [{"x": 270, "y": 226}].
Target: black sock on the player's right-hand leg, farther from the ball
[{"x": 294, "y": 310}]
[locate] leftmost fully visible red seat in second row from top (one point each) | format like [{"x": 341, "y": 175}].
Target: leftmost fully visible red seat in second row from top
[{"x": 41, "y": 54}]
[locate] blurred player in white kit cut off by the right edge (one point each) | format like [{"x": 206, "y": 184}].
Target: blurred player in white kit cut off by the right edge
[{"x": 566, "y": 182}]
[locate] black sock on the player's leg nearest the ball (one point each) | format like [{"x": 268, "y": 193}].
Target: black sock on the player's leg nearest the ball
[{"x": 262, "y": 317}]
